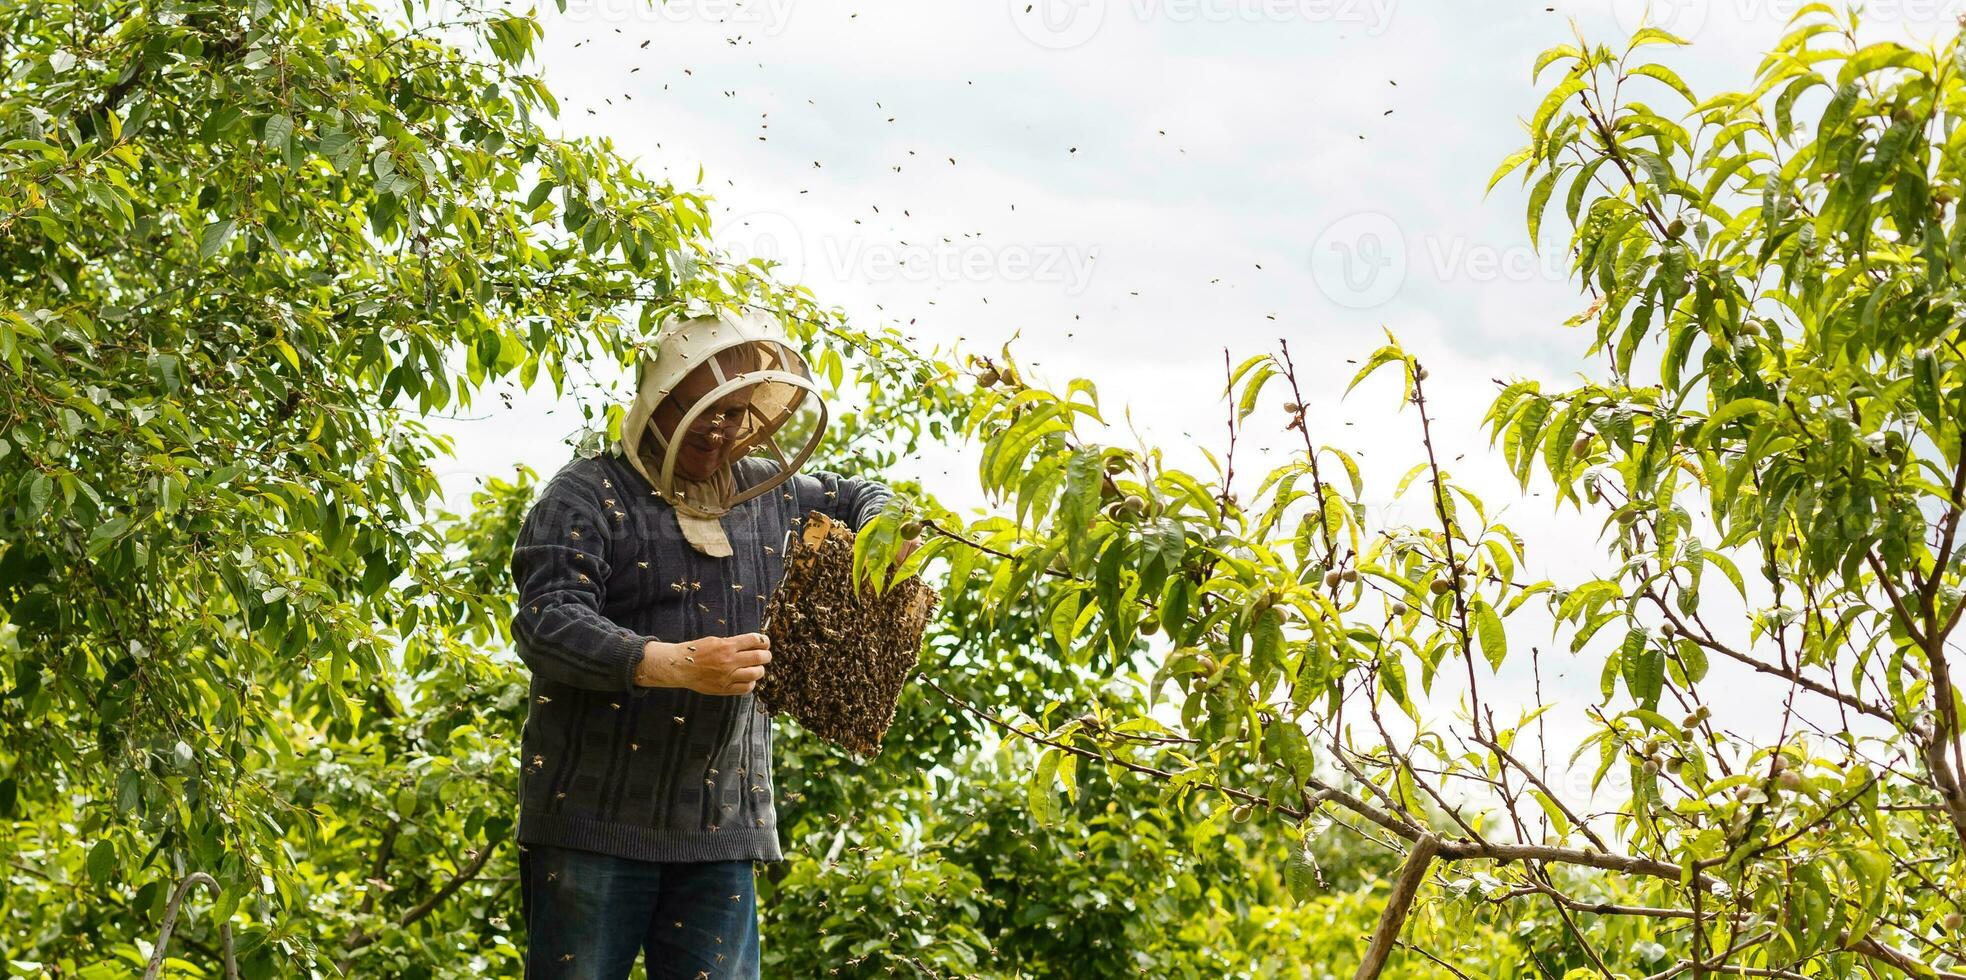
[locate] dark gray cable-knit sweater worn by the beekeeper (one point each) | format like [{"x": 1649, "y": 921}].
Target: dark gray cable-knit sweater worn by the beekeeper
[{"x": 603, "y": 568}]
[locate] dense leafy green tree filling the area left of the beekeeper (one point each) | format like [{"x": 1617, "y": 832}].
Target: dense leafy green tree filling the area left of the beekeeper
[{"x": 249, "y": 251}]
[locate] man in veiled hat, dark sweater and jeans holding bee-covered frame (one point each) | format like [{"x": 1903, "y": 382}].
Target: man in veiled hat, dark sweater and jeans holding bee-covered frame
[{"x": 642, "y": 576}]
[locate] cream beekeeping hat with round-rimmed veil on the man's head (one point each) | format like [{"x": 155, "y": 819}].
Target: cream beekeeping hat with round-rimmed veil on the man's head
[{"x": 752, "y": 361}]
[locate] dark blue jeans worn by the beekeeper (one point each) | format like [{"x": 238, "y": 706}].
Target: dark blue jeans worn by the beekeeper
[{"x": 591, "y": 914}]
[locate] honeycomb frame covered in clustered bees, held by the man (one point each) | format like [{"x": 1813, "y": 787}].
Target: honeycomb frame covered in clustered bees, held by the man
[{"x": 840, "y": 656}]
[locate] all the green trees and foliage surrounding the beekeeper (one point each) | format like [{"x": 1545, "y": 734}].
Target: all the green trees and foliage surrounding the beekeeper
[{"x": 249, "y": 249}]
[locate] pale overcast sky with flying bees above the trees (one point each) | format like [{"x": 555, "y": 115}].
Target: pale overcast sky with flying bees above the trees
[{"x": 1133, "y": 186}]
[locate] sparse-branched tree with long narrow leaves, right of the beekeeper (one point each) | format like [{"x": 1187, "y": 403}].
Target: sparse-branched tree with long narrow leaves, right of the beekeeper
[{"x": 1780, "y": 483}]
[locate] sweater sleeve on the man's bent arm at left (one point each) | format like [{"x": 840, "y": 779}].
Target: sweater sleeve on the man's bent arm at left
[{"x": 559, "y": 566}]
